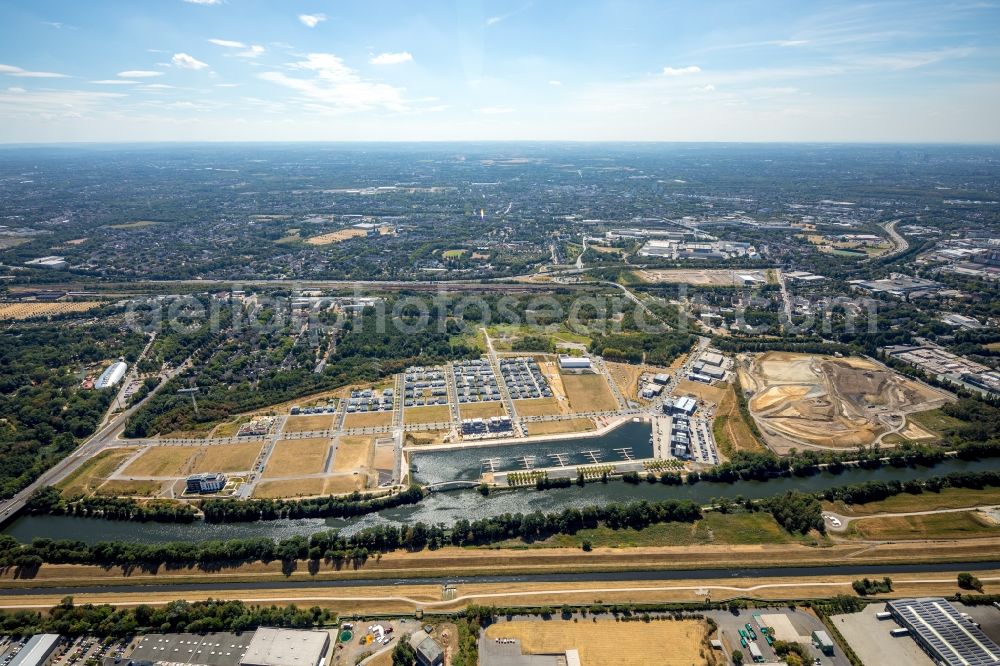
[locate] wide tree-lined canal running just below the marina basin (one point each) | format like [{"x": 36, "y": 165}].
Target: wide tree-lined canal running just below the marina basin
[{"x": 448, "y": 507}]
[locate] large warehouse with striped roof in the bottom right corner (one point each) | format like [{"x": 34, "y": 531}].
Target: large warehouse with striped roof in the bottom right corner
[{"x": 942, "y": 632}]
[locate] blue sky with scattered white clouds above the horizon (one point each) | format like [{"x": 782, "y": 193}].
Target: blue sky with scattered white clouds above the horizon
[{"x": 301, "y": 70}]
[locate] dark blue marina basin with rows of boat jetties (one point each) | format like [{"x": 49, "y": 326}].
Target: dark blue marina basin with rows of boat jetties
[{"x": 629, "y": 441}]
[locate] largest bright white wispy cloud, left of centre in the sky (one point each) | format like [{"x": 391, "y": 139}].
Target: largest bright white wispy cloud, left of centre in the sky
[{"x": 337, "y": 87}]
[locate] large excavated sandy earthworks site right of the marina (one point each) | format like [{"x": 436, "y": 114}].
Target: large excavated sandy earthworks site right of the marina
[{"x": 813, "y": 401}]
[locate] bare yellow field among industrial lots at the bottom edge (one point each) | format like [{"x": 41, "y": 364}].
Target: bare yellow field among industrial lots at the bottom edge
[{"x": 657, "y": 643}]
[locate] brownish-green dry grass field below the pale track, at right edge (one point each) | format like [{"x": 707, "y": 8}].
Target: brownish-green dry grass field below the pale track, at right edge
[{"x": 955, "y": 525}]
